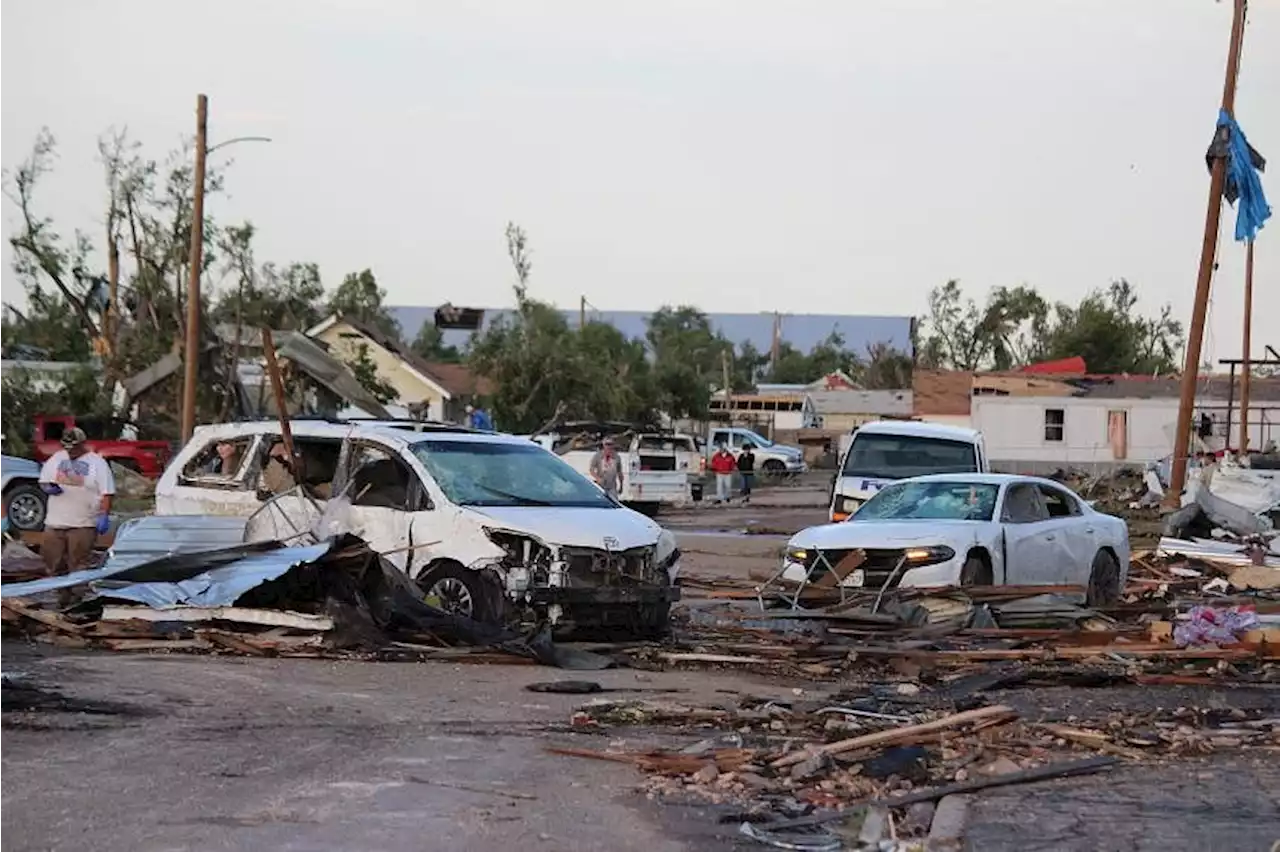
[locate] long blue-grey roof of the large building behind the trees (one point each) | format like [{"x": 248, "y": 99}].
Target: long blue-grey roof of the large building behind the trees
[{"x": 802, "y": 331}]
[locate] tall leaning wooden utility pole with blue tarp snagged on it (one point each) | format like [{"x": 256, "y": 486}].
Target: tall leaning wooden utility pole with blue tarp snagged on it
[{"x": 1213, "y": 217}]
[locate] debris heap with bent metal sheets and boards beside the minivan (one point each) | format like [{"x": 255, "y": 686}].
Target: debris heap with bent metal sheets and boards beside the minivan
[{"x": 332, "y": 598}]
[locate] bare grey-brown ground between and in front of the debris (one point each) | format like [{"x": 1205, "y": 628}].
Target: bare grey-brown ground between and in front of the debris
[{"x": 149, "y": 753}]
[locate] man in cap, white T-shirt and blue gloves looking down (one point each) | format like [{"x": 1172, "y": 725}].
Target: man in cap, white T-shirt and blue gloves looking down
[{"x": 80, "y": 487}]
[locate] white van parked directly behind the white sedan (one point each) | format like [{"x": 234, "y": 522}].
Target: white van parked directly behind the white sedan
[{"x": 886, "y": 451}]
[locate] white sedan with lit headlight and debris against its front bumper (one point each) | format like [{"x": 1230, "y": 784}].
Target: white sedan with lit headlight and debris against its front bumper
[{"x": 968, "y": 530}]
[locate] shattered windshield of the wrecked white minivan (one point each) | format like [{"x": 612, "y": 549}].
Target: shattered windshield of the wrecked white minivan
[{"x": 501, "y": 474}]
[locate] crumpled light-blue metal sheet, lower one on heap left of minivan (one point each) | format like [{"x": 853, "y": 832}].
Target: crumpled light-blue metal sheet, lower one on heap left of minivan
[{"x": 221, "y": 587}]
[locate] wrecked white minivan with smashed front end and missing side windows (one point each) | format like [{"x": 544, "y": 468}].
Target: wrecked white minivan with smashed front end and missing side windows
[{"x": 490, "y": 526}]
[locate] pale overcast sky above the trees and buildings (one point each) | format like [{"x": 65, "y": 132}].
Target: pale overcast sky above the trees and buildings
[{"x": 808, "y": 157}]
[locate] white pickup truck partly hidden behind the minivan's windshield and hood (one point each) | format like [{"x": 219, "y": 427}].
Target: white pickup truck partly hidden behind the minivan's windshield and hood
[{"x": 656, "y": 473}]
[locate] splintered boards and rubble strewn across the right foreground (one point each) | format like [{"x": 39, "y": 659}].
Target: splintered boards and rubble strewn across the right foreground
[{"x": 890, "y": 750}]
